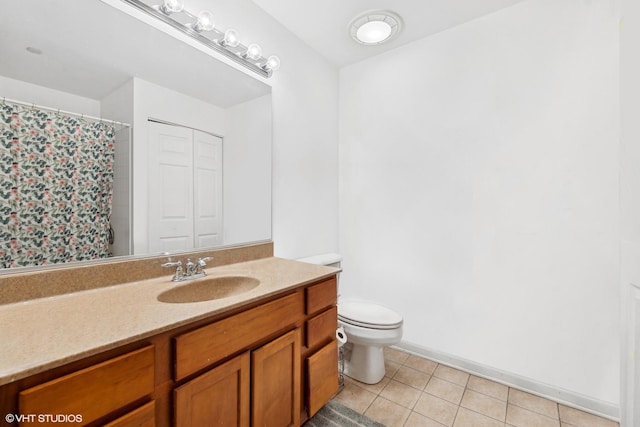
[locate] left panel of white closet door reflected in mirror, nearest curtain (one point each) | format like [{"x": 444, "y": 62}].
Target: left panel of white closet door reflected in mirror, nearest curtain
[{"x": 171, "y": 223}]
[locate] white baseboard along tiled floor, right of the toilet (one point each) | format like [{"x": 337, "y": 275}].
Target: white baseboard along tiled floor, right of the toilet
[{"x": 565, "y": 397}]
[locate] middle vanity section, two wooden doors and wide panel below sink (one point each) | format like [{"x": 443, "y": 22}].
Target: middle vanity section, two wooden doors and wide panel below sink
[{"x": 266, "y": 373}]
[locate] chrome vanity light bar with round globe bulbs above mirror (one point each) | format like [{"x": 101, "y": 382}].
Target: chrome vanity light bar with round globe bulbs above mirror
[{"x": 226, "y": 43}]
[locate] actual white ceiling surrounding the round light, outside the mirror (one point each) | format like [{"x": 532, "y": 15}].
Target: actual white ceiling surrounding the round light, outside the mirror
[{"x": 324, "y": 24}]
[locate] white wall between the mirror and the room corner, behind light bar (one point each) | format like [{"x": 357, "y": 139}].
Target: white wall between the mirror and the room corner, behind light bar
[{"x": 305, "y": 131}]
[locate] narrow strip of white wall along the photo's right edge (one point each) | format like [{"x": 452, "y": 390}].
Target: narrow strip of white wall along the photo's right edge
[{"x": 630, "y": 210}]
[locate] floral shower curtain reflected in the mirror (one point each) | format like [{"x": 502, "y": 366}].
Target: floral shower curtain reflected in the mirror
[{"x": 56, "y": 184}]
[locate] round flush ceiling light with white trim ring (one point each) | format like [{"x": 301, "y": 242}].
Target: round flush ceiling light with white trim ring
[{"x": 375, "y": 27}]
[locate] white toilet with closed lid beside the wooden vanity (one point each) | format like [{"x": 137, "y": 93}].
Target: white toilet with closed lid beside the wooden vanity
[{"x": 369, "y": 328}]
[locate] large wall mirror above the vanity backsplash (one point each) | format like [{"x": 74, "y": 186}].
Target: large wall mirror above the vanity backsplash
[{"x": 191, "y": 147}]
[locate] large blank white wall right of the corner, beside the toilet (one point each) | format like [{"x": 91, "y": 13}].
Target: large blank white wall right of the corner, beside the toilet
[{"x": 479, "y": 192}]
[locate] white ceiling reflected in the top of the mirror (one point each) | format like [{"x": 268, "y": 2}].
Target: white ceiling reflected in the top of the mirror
[{"x": 89, "y": 48}]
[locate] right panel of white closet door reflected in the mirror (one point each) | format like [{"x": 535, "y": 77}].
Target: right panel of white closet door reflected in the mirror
[{"x": 208, "y": 189}]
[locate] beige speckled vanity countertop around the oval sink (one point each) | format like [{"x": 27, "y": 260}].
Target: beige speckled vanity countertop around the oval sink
[{"x": 44, "y": 333}]
